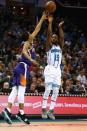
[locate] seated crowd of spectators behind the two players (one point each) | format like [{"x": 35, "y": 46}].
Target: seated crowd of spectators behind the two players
[{"x": 74, "y": 62}]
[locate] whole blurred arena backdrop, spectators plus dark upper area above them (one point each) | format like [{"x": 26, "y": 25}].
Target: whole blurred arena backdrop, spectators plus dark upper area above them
[{"x": 17, "y": 16}]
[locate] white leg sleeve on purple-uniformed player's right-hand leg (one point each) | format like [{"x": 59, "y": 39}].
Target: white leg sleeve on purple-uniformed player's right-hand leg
[{"x": 21, "y": 93}]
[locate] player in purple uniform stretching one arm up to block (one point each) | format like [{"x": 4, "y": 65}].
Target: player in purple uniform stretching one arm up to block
[{"x": 20, "y": 74}]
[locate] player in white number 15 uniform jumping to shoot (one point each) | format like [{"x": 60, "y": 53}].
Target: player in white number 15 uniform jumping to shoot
[{"x": 52, "y": 71}]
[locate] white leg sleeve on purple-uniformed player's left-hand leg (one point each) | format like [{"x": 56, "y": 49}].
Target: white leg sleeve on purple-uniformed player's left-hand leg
[{"x": 12, "y": 95}]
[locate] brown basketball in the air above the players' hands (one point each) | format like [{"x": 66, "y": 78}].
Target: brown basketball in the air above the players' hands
[{"x": 50, "y": 6}]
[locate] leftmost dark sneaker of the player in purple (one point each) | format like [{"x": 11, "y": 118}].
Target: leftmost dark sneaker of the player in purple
[{"x": 7, "y": 116}]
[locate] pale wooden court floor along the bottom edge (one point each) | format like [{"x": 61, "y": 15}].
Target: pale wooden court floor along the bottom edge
[{"x": 40, "y": 125}]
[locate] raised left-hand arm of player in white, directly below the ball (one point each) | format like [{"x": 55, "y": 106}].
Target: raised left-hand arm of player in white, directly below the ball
[{"x": 49, "y": 33}]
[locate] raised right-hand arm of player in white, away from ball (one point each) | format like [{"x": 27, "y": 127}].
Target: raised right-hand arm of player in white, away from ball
[{"x": 61, "y": 34}]
